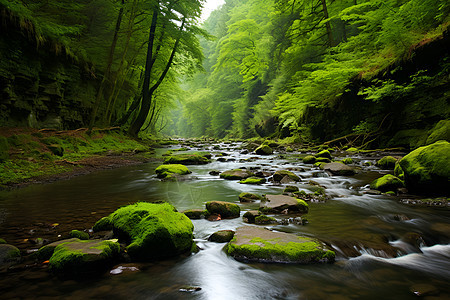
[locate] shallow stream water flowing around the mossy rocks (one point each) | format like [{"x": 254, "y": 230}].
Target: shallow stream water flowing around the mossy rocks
[{"x": 370, "y": 233}]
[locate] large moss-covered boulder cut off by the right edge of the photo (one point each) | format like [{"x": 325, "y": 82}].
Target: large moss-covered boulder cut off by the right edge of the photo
[{"x": 427, "y": 169}]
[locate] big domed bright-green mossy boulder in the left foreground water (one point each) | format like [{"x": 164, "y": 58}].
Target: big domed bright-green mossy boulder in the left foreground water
[{"x": 153, "y": 230}]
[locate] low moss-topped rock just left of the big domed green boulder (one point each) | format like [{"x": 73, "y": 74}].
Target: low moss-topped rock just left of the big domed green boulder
[{"x": 80, "y": 258}]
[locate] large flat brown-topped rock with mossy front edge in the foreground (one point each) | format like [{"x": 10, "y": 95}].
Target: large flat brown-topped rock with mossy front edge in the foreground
[{"x": 261, "y": 245}]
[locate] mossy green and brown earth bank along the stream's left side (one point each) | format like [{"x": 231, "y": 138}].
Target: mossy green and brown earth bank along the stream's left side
[{"x": 29, "y": 156}]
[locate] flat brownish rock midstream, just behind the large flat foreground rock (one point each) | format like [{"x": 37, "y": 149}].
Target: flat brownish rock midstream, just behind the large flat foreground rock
[{"x": 282, "y": 203}]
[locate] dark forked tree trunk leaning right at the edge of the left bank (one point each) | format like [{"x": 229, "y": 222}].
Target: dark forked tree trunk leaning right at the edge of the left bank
[{"x": 147, "y": 94}]
